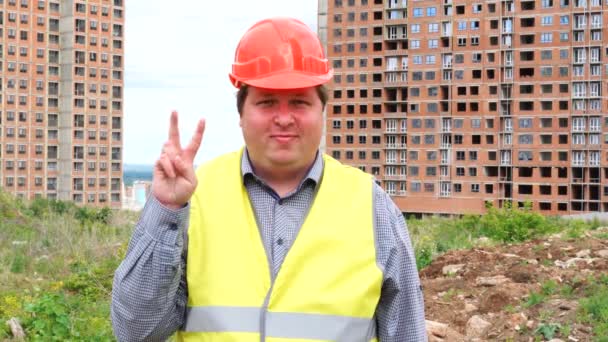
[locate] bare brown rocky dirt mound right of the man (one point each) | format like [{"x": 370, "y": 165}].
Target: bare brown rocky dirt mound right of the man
[{"x": 483, "y": 296}]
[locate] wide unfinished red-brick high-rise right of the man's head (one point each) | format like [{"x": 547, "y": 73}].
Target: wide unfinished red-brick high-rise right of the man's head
[{"x": 457, "y": 104}]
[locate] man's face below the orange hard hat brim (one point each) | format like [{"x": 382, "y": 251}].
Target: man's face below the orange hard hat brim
[{"x": 282, "y": 128}]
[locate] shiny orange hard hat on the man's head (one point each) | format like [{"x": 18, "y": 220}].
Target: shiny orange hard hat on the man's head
[{"x": 280, "y": 53}]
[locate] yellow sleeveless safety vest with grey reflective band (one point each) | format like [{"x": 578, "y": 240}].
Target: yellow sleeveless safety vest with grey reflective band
[{"x": 328, "y": 286}]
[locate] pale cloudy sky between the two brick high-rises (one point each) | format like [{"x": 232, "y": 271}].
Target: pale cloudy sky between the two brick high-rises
[{"x": 177, "y": 57}]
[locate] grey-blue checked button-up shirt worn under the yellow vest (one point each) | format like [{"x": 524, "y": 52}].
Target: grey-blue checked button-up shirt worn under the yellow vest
[{"x": 149, "y": 296}]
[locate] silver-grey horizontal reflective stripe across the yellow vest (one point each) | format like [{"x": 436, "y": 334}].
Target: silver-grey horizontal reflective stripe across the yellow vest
[{"x": 279, "y": 324}]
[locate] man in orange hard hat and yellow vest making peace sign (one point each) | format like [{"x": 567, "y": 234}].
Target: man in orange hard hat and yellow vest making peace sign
[{"x": 282, "y": 242}]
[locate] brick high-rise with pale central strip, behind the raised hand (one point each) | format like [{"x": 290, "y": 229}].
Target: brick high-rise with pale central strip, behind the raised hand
[{"x": 61, "y": 82}]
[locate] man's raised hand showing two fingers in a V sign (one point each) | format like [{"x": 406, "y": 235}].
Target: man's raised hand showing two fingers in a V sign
[{"x": 174, "y": 179}]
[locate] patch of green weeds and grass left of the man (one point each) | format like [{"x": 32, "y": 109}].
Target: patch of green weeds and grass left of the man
[{"x": 57, "y": 262}]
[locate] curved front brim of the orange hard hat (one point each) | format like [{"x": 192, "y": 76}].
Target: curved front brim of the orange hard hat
[{"x": 289, "y": 80}]
